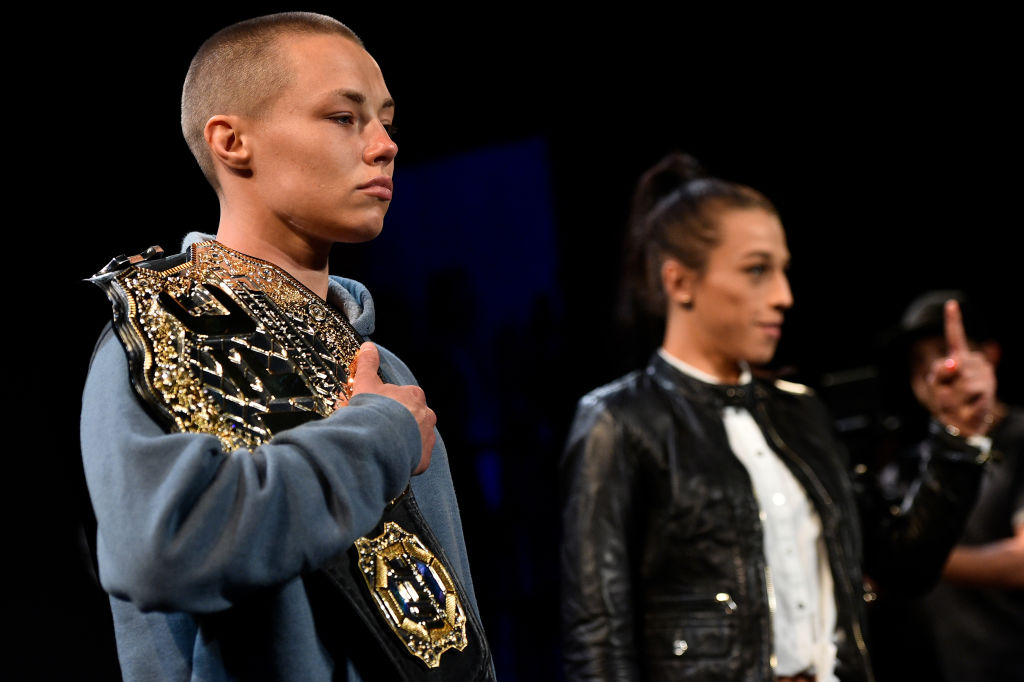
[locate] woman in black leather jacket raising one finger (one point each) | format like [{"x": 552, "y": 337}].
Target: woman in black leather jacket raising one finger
[{"x": 711, "y": 528}]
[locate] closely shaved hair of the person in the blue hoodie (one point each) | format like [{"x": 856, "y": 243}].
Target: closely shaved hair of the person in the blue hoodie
[{"x": 241, "y": 70}]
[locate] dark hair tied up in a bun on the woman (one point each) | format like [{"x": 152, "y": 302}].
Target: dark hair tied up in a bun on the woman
[{"x": 675, "y": 212}]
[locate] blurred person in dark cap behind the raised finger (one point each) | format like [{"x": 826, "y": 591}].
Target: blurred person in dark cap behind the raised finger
[{"x": 971, "y": 626}]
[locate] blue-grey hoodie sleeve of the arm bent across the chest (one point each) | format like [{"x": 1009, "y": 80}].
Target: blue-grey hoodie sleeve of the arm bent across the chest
[{"x": 185, "y": 526}]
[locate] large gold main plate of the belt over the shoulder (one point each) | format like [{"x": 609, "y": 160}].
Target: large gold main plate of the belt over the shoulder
[{"x": 232, "y": 346}]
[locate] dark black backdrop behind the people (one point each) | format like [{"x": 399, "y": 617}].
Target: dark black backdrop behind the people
[{"x": 889, "y": 144}]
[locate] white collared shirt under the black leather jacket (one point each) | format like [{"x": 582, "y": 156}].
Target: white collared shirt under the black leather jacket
[{"x": 799, "y": 579}]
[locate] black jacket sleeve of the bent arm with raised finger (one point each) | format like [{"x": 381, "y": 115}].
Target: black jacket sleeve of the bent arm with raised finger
[{"x": 908, "y": 542}]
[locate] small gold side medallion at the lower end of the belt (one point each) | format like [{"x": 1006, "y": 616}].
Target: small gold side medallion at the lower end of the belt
[{"x": 415, "y": 592}]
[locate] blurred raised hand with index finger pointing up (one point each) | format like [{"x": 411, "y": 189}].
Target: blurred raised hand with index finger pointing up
[{"x": 963, "y": 383}]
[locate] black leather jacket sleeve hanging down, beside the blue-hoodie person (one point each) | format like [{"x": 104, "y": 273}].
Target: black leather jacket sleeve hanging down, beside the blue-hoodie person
[{"x": 599, "y": 624}]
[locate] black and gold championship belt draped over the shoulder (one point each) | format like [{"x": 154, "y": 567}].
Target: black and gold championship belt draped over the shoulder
[{"x": 223, "y": 344}]
